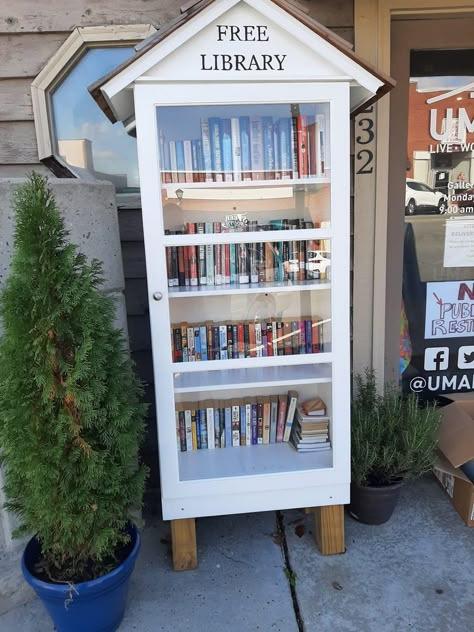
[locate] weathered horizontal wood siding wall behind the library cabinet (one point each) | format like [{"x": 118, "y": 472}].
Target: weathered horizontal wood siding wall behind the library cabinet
[{"x": 30, "y": 33}]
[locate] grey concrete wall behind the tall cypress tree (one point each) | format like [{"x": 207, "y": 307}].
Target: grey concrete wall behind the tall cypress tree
[{"x": 90, "y": 214}]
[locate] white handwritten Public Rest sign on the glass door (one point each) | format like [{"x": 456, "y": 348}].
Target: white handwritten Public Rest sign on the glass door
[{"x": 449, "y": 309}]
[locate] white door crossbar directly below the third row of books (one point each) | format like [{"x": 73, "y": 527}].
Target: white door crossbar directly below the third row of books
[{"x": 249, "y": 363}]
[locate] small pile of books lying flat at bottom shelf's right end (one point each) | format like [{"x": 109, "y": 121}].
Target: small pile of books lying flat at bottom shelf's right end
[{"x": 310, "y": 430}]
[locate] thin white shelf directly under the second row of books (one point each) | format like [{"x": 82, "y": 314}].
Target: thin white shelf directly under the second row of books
[{"x": 248, "y": 288}]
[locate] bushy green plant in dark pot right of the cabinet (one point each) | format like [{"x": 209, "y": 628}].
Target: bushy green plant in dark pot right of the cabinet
[{"x": 394, "y": 438}]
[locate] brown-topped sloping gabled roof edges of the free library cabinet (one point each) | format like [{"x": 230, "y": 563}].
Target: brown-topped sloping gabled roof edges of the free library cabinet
[{"x": 192, "y": 9}]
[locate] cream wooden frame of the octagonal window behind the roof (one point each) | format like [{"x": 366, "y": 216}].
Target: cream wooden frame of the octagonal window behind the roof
[{"x": 68, "y": 53}]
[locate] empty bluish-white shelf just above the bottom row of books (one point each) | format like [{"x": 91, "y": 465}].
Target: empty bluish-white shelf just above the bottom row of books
[{"x": 252, "y": 378}]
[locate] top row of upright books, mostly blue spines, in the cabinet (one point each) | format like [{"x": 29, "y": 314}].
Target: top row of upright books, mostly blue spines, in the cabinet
[{"x": 247, "y": 148}]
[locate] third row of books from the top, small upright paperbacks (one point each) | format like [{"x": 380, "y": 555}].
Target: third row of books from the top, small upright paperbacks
[{"x": 246, "y": 339}]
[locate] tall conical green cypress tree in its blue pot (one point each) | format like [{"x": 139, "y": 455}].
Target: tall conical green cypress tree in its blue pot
[{"x": 71, "y": 422}]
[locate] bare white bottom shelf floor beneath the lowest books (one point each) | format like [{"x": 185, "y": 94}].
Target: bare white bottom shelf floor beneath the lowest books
[{"x": 274, "y": 458}]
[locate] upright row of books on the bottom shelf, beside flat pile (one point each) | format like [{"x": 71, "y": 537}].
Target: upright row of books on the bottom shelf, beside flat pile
[{"x": 211, "y": 424}]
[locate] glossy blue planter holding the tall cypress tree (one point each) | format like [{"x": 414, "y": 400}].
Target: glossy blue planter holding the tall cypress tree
[{"x": 97, "y": 606}]
